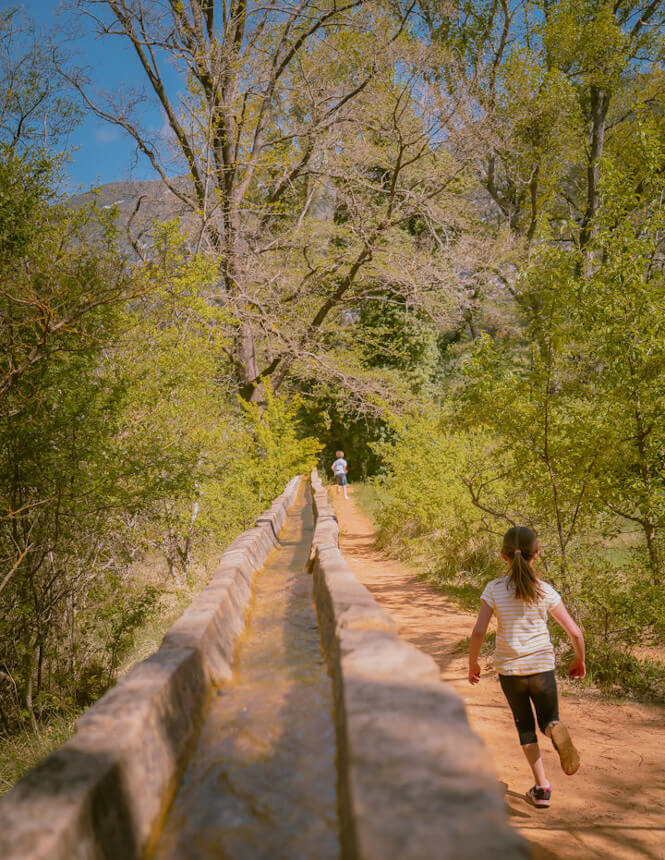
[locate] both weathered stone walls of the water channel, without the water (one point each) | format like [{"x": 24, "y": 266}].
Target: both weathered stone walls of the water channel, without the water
[{"x": 412, "y": 779}]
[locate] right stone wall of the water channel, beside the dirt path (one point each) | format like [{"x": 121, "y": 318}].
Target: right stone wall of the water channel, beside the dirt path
[{"x": 414, "y": 780}]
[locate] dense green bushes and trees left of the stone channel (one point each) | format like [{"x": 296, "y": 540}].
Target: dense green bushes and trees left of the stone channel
[{"x": 121, "y": 440}]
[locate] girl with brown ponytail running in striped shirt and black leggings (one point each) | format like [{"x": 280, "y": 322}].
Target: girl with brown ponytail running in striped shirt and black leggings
[{"x": 524, "y": 656}]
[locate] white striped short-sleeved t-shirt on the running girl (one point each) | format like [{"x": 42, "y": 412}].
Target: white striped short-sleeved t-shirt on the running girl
[{"x": 523, "y": 644}]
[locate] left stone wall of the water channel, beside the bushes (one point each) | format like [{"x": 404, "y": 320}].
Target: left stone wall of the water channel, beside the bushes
[{"x": 104, "y": 792}]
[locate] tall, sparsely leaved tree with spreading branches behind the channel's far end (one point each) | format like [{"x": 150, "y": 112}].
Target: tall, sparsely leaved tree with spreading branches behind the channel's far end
[{"x": 288, "y": 114}]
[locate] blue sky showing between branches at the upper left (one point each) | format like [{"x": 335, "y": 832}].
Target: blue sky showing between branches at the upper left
[{"x": 104, "y": 153}]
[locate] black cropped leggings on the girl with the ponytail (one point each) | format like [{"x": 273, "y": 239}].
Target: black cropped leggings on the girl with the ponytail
[{"x": 521, "y": 690}]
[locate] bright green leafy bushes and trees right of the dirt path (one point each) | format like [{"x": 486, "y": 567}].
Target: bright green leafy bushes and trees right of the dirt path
[{"x": 558, "y": 425}]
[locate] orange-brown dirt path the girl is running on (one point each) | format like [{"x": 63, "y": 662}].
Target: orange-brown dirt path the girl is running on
[{"x": 614, "y": 806}]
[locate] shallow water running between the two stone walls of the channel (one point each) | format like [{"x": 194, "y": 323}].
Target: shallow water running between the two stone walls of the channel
[{"x": 262, "y": 781}]
